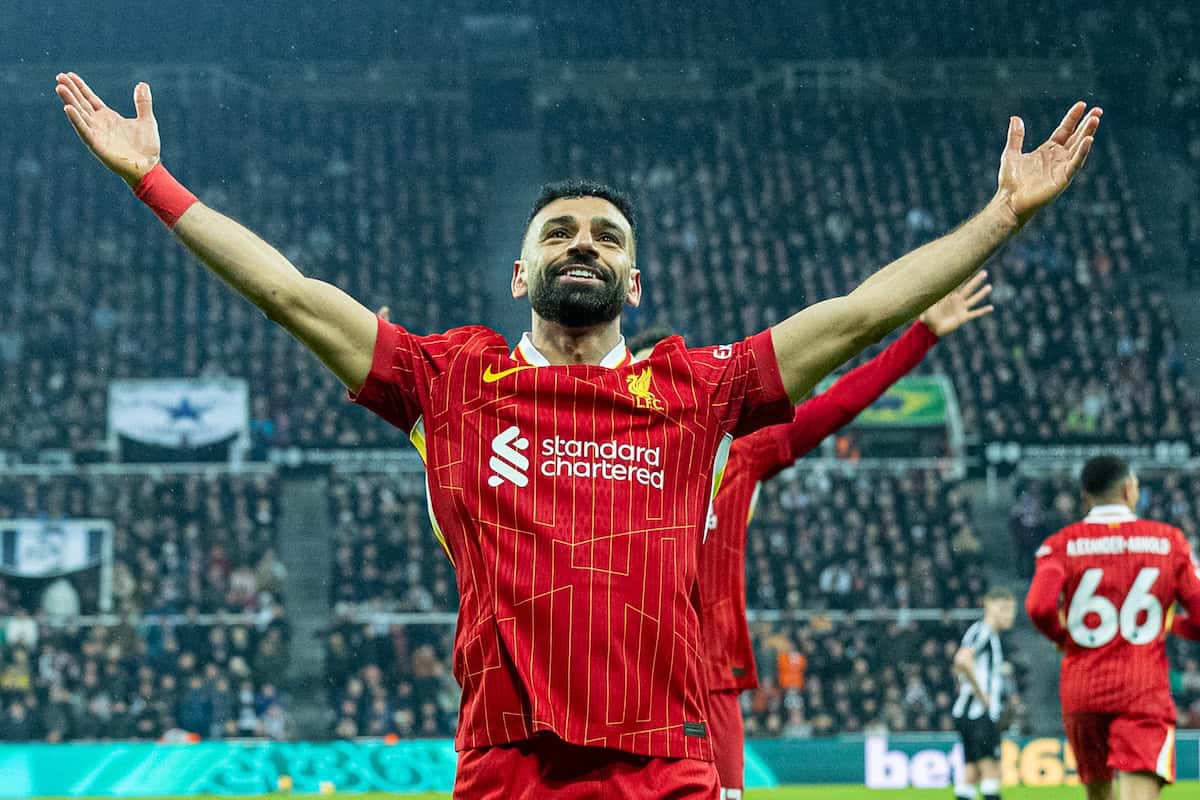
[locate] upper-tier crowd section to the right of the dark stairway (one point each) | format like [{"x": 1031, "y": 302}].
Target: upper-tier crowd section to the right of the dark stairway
[{"x": 755, "y": 209}]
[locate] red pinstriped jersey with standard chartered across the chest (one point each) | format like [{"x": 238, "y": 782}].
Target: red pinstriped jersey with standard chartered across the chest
[{"x": 572, "y": 501}]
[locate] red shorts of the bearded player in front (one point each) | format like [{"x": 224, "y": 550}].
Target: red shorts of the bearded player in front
[{"x": 548, "y": 767}]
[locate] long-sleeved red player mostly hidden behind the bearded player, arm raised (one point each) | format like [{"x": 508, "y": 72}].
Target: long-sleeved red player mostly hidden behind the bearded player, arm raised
[{"x": 760, "y": 456}]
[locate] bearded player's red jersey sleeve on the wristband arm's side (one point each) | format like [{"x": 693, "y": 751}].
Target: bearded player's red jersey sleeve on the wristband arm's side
[{"x": 403, "y": 369}]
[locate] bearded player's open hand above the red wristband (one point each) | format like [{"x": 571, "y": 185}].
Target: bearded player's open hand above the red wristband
[{"x": 128, "y": 147}]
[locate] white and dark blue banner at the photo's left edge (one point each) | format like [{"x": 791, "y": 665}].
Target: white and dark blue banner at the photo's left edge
[{"x": 44, "y": 549}]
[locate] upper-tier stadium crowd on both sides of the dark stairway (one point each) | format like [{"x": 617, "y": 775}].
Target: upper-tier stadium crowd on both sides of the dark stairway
[{"x": 765, "y": 209}]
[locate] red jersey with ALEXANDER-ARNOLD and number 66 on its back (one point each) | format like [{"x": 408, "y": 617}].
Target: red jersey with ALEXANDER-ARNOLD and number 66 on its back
[{"x": 1103, "y": 592}]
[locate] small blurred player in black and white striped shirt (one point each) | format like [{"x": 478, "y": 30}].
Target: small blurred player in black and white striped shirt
[{"x": 980, "y": 666}]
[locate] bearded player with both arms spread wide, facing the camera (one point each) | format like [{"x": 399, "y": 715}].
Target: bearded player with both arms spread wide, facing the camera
[{"x": 568, "y": 485}]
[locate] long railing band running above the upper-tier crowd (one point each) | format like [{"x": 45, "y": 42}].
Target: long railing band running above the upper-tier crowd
[{"x": 410, "y": 82}]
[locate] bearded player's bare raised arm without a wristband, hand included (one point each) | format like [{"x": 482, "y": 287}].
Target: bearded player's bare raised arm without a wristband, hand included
[{"x": 813, "y": 342}]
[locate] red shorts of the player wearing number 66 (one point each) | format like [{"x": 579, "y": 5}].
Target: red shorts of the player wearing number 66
[{"x": 1130, "y": 743}]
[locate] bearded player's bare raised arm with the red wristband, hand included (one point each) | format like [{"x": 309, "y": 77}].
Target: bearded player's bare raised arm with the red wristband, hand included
[{"x": 337, "y": 328}]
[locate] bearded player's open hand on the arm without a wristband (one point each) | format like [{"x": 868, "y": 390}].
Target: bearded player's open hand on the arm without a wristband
[{"x": 1030, "y": 181}]
